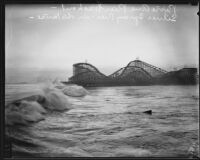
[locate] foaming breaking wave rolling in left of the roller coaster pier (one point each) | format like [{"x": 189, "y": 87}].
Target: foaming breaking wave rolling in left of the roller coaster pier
[{"x": 52, "y": 97}]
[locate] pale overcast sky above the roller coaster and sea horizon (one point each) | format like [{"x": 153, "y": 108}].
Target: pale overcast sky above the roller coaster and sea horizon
[{"x": 38, "y": 45}]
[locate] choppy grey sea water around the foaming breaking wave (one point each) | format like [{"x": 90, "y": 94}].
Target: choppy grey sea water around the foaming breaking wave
[{"x": 110, "y": 122}]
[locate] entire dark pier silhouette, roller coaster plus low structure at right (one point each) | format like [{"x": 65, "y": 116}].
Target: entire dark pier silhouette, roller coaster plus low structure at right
[{"x": 136, "y": 72}]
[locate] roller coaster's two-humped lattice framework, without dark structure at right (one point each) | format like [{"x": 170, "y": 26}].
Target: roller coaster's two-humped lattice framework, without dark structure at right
[{"x": 135, "y": 73}]
